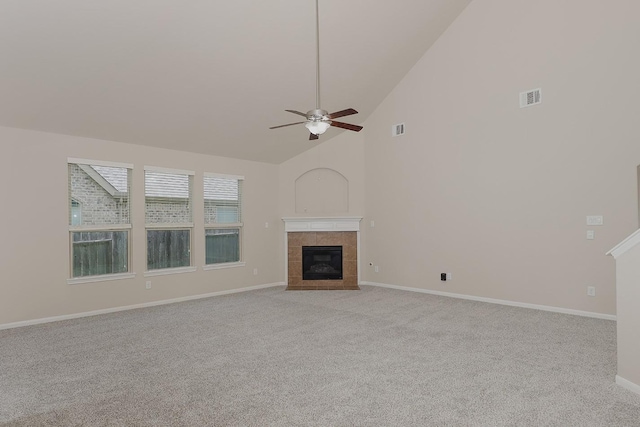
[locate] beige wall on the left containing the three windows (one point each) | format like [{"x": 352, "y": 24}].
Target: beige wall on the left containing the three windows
[{"x": 34, "y": 255}]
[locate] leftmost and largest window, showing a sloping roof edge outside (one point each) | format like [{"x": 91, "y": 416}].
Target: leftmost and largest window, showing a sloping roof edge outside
[{"x": 99, "y": 218}]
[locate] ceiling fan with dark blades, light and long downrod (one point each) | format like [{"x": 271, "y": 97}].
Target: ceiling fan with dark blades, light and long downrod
[{"x": 319, "y": 120}]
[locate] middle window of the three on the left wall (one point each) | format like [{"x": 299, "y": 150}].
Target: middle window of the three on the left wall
[{"x": 168, "y": 217}]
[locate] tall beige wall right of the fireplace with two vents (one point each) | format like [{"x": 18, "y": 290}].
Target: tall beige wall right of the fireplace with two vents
[{"x": 498, "y": 195}]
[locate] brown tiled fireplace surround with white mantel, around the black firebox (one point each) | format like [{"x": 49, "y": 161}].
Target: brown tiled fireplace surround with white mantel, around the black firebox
[{"x": 343, "y": 232}]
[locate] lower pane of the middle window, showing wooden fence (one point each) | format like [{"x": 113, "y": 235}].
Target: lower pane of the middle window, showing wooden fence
[{"x": 168, "y": 249}]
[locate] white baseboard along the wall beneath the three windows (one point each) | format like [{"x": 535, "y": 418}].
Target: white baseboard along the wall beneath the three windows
[{"x": 133, "y": 307}]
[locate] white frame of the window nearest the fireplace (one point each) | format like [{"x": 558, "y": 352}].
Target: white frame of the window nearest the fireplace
[{"x": 225, "y": 225}]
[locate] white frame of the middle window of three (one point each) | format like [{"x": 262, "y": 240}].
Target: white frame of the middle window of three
[{"x": 189, "y": 226}]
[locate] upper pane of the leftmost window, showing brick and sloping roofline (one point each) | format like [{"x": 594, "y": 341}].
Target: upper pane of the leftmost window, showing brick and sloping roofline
[{"x": 99, "y": 195}]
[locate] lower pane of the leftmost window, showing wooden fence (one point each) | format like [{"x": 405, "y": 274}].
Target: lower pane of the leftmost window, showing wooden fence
[{"x": 99, "y": 252}]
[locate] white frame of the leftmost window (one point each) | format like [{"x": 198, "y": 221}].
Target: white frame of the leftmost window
[{"x": 71, "y": 280}]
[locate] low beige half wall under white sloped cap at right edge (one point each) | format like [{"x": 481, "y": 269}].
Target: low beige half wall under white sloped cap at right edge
[{"x": 628, "y": 288}]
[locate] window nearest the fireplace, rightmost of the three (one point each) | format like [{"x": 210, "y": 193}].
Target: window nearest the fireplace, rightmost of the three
[{"x": 223, "y": 218}]
